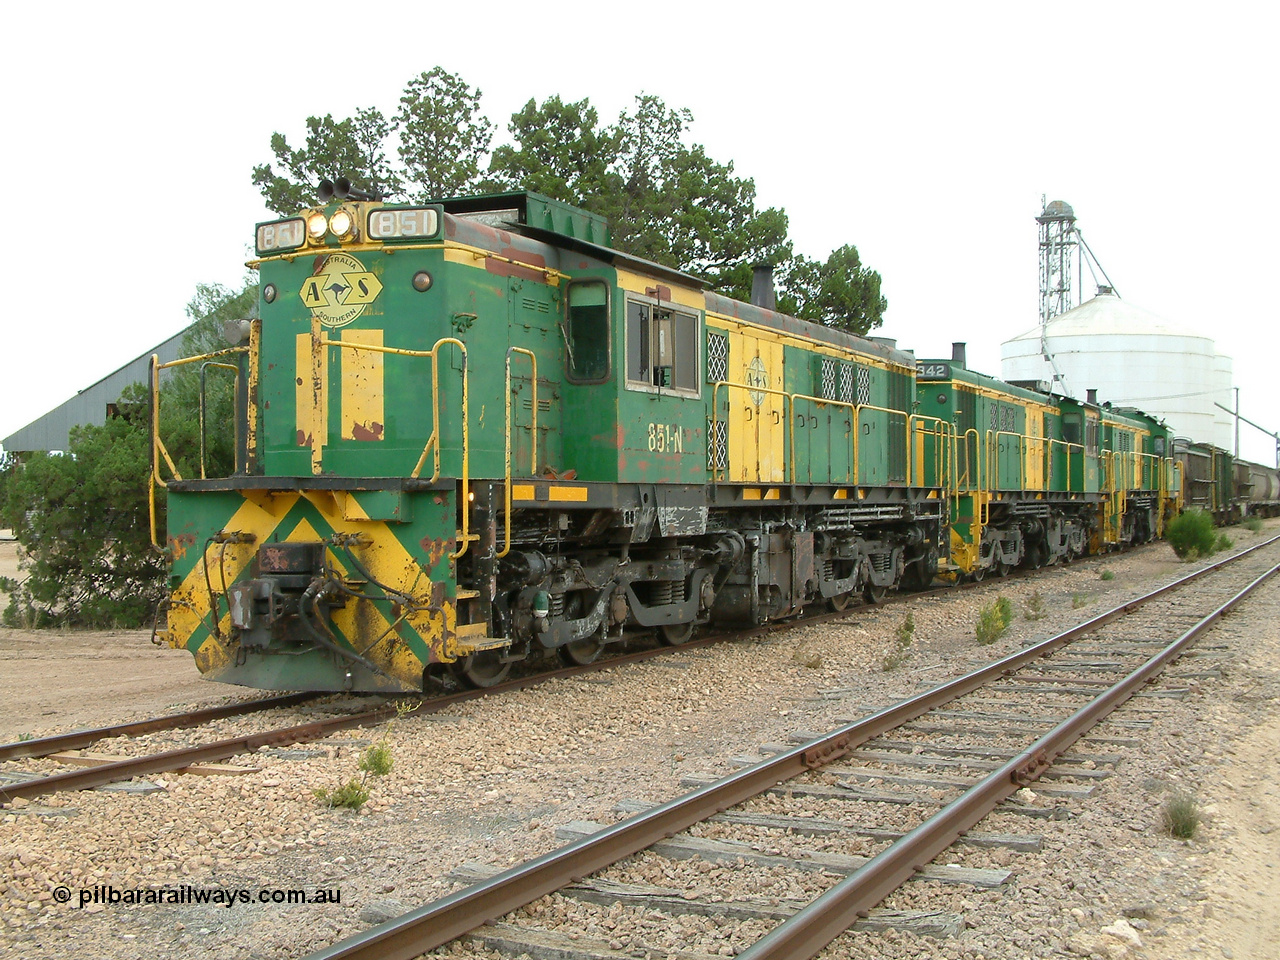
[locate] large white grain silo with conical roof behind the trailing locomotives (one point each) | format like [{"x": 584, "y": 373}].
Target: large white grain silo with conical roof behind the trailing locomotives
[{"x": 1132, "y": 358}]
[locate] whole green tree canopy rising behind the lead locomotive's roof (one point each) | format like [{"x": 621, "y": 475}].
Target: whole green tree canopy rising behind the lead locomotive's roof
[{"x": 666, "y": 199}]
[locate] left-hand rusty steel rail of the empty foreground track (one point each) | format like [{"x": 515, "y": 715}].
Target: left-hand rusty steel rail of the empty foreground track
[{"x": 446, "y": 920}]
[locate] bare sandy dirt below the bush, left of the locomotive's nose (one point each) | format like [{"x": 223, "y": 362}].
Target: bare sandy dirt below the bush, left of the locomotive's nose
[{"x": 68, "y": 679}]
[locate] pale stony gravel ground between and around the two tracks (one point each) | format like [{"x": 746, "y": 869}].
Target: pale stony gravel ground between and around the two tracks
[{"x": 492, "y": 781}]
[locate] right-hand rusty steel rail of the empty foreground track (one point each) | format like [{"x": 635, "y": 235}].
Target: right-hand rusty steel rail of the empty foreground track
[{"x": 811, "y": 930}]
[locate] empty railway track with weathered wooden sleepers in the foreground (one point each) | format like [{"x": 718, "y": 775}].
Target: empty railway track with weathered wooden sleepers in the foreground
[{"x": 944, "y": 760}]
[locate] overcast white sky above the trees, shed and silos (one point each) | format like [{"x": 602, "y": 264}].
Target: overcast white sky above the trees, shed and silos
[{"x": 924, "y": 134}]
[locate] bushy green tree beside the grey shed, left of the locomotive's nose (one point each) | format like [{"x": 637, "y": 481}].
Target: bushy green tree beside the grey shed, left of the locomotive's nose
[{"x": 84, "y": 519}]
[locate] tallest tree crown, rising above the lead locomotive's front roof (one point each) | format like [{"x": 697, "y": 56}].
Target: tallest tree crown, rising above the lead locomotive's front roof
[{"x": 444, "y": 136}]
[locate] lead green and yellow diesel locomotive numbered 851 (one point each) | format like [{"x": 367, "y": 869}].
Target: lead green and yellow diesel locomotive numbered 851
[{"x": 472, "y": 433}]
